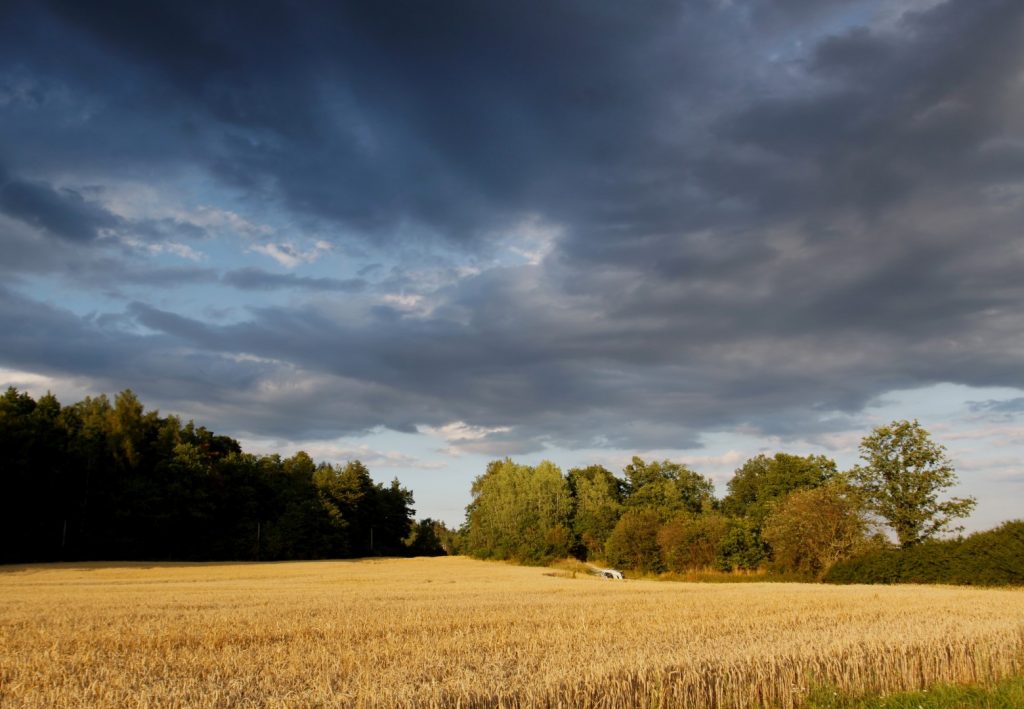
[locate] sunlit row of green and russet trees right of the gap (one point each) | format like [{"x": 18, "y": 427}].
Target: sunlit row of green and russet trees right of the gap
[{"x": 790, "y": 514}]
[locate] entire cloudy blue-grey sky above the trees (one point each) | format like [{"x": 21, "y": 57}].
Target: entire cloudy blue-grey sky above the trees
[{"x": 431, "y": 235}]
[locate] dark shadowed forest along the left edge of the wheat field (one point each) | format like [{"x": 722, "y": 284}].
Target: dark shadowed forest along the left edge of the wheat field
[{"x": 111, "y": 481}]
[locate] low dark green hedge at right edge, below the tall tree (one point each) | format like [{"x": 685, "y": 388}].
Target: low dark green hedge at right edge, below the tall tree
[{"x": 989, "y": 559}]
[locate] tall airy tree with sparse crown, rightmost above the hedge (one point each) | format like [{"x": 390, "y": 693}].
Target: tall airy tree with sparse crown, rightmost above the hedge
[{"x": 905, "y": 475}]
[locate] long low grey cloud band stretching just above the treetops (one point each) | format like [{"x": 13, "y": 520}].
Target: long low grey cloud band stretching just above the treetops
[{"x": 560, "y": 385}]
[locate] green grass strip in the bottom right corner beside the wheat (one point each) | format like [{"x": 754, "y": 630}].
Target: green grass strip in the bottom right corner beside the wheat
[{"x": 1008, "y": 694}]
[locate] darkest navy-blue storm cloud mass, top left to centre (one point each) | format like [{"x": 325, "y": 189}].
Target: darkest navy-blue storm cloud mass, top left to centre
[{"x": 373, "y": 115}]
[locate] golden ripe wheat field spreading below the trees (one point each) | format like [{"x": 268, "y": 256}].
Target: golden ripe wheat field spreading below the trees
[{"x": 457, "y": 633}]
